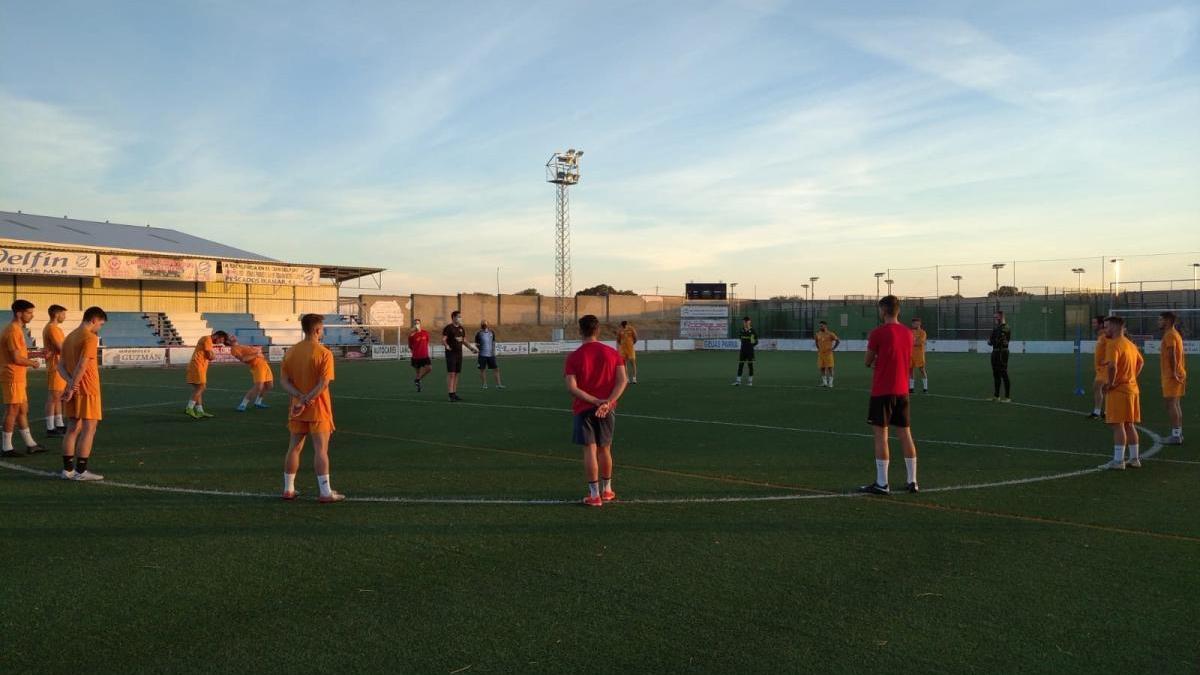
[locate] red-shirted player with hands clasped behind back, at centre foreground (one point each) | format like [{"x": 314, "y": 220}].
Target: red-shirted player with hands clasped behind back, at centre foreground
[{"x": 596, "y": 378}]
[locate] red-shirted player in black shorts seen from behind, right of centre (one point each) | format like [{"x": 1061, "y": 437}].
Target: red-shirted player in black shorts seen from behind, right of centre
[{"x": 890, "y": 353}]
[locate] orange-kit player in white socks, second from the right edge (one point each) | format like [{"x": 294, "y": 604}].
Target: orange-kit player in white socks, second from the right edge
[{"x": 1124, "y": 404}]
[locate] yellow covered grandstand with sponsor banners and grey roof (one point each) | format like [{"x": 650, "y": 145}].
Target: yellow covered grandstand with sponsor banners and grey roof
[{"x": 167, "y": 289}]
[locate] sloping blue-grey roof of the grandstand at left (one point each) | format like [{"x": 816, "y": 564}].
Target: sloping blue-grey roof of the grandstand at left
[{"x": 111, "y": 236}]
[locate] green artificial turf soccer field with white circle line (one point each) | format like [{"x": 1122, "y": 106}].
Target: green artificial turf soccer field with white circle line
[{"x": 736, "y": 545}]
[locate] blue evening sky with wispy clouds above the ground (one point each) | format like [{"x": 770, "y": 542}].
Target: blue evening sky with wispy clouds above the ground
[{"x": 758, "y": 142}]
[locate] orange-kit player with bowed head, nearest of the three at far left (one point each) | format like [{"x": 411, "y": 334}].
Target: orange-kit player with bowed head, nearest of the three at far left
[{"x": 81, "y": 371}]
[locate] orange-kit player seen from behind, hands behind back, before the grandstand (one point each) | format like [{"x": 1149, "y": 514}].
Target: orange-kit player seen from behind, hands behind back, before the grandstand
[{"x": 307, "y": 373}]
